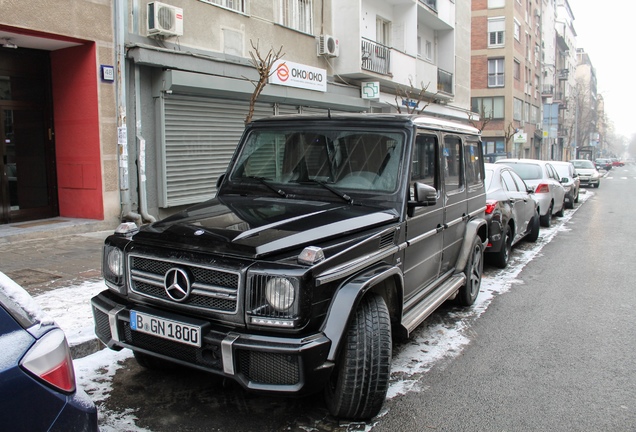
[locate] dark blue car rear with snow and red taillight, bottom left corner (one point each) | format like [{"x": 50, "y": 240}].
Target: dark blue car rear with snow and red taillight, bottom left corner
[{"x": 37, "y": 380}]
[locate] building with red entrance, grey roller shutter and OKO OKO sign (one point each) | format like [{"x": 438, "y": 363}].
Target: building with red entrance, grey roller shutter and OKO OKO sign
[{"x": 168, "y": 85}]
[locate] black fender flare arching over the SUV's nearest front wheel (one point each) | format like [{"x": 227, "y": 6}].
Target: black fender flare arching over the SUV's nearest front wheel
[{"x": 347, "y": 298}]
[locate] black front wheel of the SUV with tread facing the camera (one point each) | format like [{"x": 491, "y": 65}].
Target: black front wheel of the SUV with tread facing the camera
[{"x": 359, "y": 383}]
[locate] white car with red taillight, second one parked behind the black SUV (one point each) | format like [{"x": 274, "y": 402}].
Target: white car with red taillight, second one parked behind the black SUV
[{"x": 548, "y": 188}]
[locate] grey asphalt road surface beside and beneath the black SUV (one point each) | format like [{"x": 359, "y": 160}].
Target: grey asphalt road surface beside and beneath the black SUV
[{"x": 556, "y": 352}]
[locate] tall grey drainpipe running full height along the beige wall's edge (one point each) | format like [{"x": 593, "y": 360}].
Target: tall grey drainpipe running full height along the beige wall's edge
[{"x": 122, "y": 134}]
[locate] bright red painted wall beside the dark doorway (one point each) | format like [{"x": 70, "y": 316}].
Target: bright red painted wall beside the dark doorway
[{"x": 76, "y": 119}]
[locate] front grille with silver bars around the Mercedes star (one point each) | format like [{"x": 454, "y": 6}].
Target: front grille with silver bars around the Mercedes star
[{"x": 212, "y": 289}]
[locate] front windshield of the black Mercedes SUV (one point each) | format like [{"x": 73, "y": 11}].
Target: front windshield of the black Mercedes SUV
[{"x": 346, "y": 159}]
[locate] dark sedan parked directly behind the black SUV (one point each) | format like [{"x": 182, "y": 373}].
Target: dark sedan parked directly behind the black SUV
[{"x": 511, "y": 211}]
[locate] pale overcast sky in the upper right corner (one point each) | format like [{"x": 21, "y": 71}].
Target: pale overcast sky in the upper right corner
[{"x": 605, "y": 31}]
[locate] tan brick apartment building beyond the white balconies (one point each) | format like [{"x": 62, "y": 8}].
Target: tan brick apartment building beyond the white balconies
[{"x": 506, "y": 75}]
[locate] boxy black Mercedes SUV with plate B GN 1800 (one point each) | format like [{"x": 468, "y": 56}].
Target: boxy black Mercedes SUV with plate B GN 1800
[{"x": 328, "y": 236}]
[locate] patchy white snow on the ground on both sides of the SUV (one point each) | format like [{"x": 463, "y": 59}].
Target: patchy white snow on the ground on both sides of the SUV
[{"x": 95, "y": 372}]
